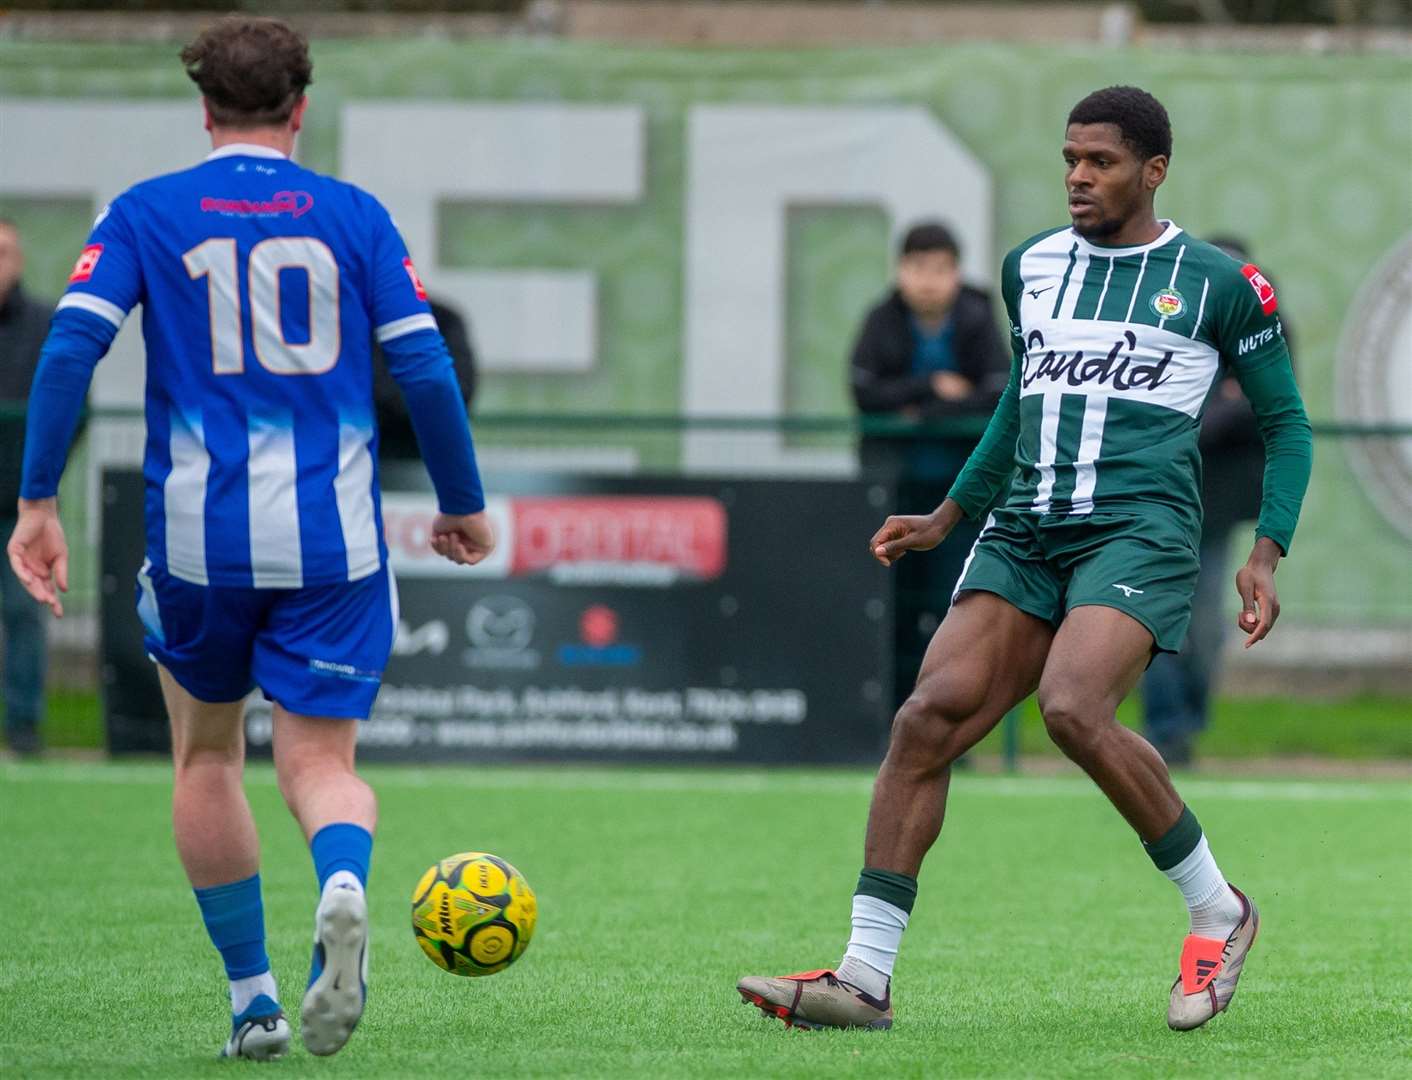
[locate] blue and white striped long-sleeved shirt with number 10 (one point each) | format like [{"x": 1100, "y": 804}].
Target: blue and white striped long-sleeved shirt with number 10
[{"x": 263, "y": 286}]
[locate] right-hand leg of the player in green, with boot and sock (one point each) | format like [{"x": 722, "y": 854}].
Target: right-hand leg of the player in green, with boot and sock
[{"x": 1096, "y": 660}]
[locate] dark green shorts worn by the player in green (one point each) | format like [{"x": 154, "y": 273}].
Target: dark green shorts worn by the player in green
[{"x": 1144, "y": 567}]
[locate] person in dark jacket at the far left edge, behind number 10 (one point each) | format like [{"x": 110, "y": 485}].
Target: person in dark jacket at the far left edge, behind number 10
[{"x": 25, "y": 320}]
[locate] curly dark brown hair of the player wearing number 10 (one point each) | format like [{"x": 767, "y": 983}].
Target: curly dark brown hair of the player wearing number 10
[{"x": 251, "y": 70}]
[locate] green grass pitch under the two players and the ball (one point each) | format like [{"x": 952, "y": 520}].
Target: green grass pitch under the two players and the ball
[{"x": 1043, "y": 945}]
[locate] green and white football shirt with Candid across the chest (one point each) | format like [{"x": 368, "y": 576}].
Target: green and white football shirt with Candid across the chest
[{"x": 1115, "y": 354}]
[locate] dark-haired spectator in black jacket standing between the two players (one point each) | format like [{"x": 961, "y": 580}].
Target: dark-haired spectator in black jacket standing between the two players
[{"x": 928, "y": 352}]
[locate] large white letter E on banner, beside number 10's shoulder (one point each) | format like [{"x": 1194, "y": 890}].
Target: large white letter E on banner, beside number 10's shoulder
[{"x": 417, "y": 155}]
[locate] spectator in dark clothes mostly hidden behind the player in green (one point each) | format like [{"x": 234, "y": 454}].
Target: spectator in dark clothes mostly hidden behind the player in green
[{"x": 1177, "y": 690}]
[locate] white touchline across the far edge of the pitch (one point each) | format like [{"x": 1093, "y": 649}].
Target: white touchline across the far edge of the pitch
[{"x": 725, "y": 783}]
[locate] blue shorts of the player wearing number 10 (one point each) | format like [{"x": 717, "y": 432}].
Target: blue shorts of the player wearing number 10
[{"x": 317, "y": 652}]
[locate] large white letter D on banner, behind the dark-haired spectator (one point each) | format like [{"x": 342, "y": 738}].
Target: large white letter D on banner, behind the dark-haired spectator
[{"x": 748, "y": 166}]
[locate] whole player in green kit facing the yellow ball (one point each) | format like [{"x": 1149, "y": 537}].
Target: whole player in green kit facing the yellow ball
[{"x": 1089, "y": 471}]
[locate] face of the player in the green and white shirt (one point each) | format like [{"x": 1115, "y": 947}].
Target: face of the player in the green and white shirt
[{"x": 1108, "y": 183}]
